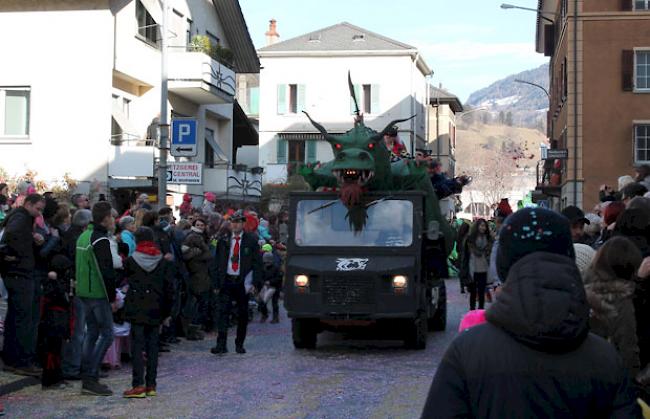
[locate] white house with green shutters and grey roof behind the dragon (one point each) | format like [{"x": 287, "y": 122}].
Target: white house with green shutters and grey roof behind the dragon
[{"x": 310, "y": 73}]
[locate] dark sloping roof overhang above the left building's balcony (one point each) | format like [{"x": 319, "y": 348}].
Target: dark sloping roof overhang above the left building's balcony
[{"x": 239, "y": 38}]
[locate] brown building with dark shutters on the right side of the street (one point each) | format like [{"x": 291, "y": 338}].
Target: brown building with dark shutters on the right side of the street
[{"x": 600, "y": 108}]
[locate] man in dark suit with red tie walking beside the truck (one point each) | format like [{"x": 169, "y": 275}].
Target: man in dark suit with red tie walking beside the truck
[{"x": 238, "y": 266}]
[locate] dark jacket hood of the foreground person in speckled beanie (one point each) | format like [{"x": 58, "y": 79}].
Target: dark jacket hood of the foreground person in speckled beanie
[{"x": 543, "y": 304}]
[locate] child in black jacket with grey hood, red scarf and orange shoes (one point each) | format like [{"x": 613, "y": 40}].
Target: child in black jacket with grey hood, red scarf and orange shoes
[{"x": 147, "y": 305}]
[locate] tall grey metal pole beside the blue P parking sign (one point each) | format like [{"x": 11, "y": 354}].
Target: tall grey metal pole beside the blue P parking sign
[{"x": 164, "y": 124}]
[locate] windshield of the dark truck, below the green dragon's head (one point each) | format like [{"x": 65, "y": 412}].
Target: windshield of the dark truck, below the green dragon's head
[{"x": 324, "y": 223}]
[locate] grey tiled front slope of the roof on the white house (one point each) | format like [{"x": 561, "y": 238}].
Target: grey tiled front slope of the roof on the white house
[{"x": 340, "y": 37}]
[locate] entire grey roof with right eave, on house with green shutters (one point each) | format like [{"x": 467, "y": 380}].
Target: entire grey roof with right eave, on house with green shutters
[{"x": 345, "y": 39}]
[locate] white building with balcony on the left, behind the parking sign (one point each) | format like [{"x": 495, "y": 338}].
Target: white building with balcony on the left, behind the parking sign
[{"x": 91, "y": 89}]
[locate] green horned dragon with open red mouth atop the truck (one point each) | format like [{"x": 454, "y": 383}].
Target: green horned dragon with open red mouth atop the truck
[{"x": 362, "y": 162}]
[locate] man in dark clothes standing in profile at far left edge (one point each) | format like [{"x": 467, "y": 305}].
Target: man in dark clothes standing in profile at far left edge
[{"x": 18, "y": 264}]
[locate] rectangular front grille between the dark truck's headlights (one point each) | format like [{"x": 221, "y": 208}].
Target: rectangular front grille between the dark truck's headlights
[{"x": 348, "y": 291}]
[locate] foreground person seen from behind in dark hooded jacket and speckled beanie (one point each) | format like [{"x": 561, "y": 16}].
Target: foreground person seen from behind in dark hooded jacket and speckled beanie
[{"x": 535, "y": 356}]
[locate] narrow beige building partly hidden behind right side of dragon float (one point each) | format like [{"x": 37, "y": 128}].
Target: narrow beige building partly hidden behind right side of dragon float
[{"x": 442, "y": 112}]
